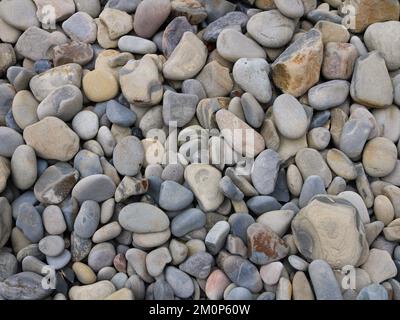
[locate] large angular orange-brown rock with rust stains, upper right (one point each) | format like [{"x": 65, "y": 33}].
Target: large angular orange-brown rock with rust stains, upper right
[{"x": 298, "y": 68}]
